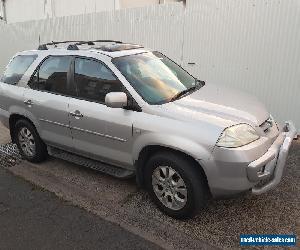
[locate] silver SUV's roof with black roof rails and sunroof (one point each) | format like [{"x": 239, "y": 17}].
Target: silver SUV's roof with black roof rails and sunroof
[{"x": 112, "y": 50}]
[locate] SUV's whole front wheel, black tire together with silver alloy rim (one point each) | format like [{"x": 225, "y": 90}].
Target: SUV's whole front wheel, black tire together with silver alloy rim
[{"x": 194, "y": 184}]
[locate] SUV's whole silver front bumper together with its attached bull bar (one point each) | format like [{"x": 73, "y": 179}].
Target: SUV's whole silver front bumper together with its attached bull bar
[{"x": 230, "y": 171}]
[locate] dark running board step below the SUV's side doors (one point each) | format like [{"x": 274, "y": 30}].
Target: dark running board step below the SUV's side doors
[{"x": 93, "y": 164}]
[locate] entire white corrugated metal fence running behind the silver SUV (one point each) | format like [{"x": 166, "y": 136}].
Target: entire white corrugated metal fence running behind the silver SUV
[{"x": 252, "y": 44}]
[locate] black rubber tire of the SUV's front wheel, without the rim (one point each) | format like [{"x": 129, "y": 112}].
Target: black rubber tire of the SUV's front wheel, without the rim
[{"x": 193, "y": 180}]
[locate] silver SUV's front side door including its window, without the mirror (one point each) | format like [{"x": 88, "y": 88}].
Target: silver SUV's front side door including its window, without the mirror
[{"x": 98, "y": 131}]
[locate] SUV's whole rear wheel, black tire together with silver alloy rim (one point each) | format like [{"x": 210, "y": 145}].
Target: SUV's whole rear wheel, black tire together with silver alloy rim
[{"x": 26, "y": 134}]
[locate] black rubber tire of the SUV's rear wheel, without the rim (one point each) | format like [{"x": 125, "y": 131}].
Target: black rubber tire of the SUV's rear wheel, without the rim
[{"x": 41, "y": 150}]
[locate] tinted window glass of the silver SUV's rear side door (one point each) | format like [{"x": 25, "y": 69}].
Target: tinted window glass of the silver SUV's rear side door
[{"x": 52, "y": 75}]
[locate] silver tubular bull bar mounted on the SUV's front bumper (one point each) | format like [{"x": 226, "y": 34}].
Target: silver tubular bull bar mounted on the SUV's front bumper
[{"x": 272, "y": 163}]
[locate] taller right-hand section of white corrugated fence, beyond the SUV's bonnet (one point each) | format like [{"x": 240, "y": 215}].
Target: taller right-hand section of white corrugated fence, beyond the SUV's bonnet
[{"x": 251, "y": 45}]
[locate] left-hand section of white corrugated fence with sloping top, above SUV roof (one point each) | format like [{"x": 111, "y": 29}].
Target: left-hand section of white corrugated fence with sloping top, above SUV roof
[{"x": 154, "y": 26}]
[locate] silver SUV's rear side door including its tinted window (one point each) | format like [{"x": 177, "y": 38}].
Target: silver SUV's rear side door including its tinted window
[{"x": 47, "y": 100}]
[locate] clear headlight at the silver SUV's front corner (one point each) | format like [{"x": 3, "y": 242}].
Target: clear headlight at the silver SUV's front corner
[{"x": 237, "y": 136}]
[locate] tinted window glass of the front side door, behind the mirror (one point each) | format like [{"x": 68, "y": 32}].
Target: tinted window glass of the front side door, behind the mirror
[{"x": 94, "y": 80}]
